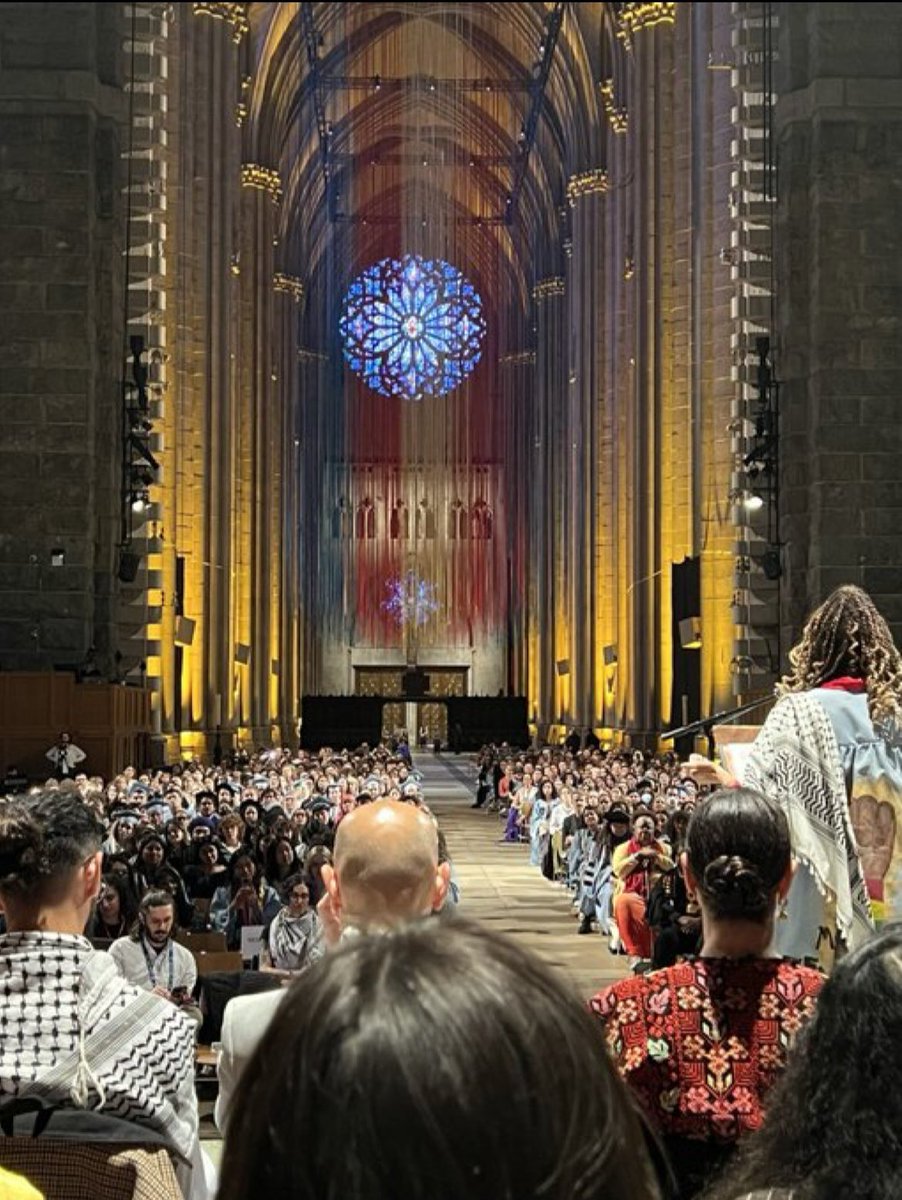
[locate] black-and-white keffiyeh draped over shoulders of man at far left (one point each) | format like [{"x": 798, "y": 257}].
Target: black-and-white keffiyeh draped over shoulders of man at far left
[{"x": 75, "y": 1034}]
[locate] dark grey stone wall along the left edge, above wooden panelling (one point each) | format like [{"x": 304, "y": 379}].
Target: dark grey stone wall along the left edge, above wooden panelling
[{"x": 62, "y": 319}]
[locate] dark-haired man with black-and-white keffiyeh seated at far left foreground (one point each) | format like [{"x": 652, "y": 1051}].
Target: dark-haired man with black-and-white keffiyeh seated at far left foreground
[{"x": 75, "y": 1034}]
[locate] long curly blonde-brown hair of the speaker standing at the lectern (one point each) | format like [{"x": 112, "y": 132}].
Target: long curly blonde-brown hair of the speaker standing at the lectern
[{"x": 847, "y": 637}]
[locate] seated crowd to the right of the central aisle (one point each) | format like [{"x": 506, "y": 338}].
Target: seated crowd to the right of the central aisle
[{"x": 610, "y": 826}]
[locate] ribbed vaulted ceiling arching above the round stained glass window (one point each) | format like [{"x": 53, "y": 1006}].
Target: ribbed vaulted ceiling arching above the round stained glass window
[{"x": 438, "y": 128}]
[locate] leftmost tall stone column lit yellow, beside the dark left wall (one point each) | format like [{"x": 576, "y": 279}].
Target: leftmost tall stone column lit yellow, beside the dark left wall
[{"x": 206, "y": 178}]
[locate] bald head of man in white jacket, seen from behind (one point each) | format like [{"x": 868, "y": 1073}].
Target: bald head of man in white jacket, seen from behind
[{"x": 387, "y": 866}]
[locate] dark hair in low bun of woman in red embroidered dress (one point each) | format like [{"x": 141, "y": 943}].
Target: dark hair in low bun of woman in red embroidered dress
[{"x": 738, "y": 844}]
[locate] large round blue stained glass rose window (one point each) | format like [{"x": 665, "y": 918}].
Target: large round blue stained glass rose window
[{"x": 412, "y": 327}]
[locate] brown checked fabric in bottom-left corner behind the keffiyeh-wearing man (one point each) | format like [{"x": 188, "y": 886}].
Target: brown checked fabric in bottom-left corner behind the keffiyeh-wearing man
[{"x": 67, "y": 1172}]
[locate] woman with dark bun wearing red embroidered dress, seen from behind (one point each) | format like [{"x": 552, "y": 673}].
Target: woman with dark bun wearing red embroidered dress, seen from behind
[{"x": 702, "y": 1043}]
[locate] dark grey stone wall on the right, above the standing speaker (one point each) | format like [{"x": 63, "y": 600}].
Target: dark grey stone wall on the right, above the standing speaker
[{"x": 839, "y": 130}]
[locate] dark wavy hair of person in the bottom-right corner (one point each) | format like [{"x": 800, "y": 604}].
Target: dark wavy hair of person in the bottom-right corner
[{"x": 834, "y": 1124}]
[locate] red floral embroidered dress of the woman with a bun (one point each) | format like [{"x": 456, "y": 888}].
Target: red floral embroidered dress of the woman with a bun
[{"x": 701, "y": 1043}]
